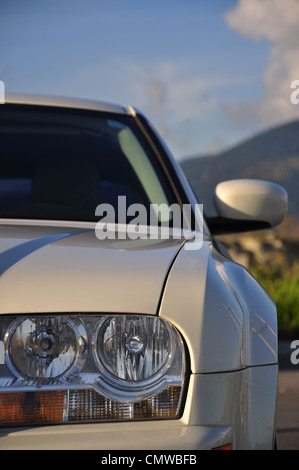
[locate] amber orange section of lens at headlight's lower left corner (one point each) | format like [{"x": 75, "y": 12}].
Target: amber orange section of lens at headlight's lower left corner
[{"x": 37, "y": 407}]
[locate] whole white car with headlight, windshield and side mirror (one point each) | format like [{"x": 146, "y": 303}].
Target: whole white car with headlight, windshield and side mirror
[{"x": 123, "y": 326}]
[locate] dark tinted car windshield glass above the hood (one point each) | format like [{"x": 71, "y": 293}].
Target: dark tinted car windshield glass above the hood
[{"x": 60, "y": 164}]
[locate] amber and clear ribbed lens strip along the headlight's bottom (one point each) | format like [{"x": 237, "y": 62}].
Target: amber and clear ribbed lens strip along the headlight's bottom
[{"x": 82, "y": 405}]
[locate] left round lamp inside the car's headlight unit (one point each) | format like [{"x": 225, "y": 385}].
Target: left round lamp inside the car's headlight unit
[{"x": 43, "y": 347}]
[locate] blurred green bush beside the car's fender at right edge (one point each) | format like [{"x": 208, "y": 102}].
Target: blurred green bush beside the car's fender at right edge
[{"x": 283, "y": 287}]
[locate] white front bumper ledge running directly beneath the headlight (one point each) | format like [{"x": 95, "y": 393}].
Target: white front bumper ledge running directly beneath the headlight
[{"x": 149, "y": 436}]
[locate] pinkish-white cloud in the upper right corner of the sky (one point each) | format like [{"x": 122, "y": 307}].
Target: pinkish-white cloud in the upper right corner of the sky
[{"x": 276, "y": 21}]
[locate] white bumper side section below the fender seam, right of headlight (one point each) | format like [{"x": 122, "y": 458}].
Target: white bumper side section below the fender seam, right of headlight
[{"x": 242, "y": 399}]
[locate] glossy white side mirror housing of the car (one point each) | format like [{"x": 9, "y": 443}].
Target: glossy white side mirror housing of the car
[{"x": 251, "y": 200}]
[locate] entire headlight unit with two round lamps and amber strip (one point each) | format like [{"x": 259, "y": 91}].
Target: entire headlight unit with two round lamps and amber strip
[{"x": 87, "y": 368}]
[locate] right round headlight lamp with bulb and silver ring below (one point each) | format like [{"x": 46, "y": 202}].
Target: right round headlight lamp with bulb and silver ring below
[{"x": 137, "y": 355}]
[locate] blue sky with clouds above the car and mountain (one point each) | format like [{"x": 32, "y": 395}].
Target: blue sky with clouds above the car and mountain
[{"x": 202, "y": 71}]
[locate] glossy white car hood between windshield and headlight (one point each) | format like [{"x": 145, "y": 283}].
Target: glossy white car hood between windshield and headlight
[{"x": 56, "y": 269}]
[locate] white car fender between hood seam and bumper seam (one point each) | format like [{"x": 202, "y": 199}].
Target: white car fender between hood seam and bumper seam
[{"x": 227, "y": 319}]
